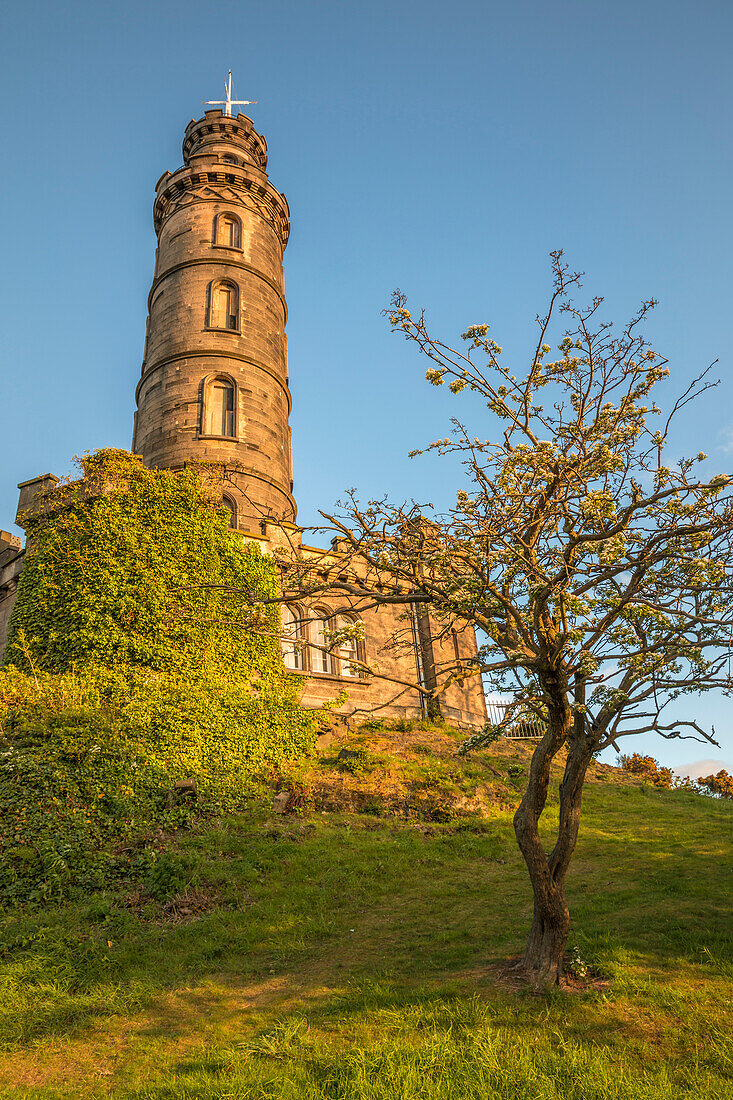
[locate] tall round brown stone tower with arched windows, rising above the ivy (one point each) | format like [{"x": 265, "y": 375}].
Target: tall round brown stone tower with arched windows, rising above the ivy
[{"x": 214, "y": 384}]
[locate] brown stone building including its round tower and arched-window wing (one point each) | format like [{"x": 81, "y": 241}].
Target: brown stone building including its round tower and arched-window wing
[{"x": 214, "y": 390}]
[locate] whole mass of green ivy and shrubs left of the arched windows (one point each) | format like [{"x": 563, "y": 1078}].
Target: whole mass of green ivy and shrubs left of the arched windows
[{"x": 125, "y": 674}]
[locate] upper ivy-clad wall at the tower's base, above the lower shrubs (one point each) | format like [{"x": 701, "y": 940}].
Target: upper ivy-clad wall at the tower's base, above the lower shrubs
[{"x": 115, "y": 573}]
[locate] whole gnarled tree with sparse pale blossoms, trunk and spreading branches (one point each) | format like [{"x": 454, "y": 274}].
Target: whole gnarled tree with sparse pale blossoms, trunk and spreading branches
[{"x": 598, "y": 578}]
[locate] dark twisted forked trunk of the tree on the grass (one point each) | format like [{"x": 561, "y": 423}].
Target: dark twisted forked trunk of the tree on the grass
[{"x": 545, "y": 949}]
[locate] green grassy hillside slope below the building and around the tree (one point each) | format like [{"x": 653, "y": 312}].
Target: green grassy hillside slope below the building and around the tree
[{"x": 358, "y": 949}]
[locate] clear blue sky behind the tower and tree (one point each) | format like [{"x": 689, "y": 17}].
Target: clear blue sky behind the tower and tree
[{"x": 441, "y": 148}]
